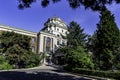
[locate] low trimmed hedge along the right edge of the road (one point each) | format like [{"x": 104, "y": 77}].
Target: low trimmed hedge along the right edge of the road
[{"x": 105, "y": 74}]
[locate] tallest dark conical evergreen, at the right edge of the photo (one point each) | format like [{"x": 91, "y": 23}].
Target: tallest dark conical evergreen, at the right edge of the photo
[{"x": 107, "y": 41}]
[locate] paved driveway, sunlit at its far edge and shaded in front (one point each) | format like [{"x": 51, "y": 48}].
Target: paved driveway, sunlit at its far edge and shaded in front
[{"x": 39, "y": 73}]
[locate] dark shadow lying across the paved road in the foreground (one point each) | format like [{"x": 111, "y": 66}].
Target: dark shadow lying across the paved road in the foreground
[{"x": 17, "y": 75}]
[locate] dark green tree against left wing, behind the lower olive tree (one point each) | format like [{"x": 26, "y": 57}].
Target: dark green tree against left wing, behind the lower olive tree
[{"x": 9, "y": 39}]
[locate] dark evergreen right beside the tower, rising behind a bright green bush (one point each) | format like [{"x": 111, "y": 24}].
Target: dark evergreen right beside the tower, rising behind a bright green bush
[{"x": 76, "y": 36}]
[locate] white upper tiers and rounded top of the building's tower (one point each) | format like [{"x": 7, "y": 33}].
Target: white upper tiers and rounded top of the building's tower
[{"x": 55, "y": 26}]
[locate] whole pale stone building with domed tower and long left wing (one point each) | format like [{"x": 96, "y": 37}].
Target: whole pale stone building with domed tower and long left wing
[{"x": 48, "y": 39}]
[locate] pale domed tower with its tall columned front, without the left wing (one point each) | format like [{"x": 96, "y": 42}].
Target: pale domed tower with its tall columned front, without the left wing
[{"x": 52, "y": 35}]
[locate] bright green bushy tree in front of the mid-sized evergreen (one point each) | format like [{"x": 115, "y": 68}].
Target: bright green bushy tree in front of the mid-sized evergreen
[{"x": 77, "y": 58}]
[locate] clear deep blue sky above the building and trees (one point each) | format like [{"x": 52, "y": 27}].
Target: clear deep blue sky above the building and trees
[{"x": 33, "y": 19}]
